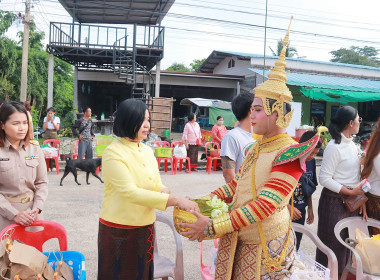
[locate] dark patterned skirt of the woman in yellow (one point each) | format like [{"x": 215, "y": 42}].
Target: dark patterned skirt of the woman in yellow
[{"x": 125, "y": 254}]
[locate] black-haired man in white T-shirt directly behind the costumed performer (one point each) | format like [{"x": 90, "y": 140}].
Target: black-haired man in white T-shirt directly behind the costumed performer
[{"x": 237, "y": 141}]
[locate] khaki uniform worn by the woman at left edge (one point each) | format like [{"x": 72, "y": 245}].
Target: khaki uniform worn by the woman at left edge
[{"x": 22, "y": 174}]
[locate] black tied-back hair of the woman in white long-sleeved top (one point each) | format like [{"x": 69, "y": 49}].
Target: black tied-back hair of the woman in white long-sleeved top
[{"x": 342, "y": 118}]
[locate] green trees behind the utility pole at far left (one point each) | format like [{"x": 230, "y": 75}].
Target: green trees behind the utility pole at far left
[{"x": 10, "y": 74}]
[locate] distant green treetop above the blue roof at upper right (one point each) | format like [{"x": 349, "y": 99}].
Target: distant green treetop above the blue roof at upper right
[{"x": 356, "y": 55}]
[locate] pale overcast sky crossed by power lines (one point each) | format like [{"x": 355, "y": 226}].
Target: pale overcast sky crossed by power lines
[{"x": 318, "y": 26}]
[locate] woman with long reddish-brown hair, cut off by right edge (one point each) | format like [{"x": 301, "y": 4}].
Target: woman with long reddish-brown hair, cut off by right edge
[{"x": 371, "y": 171}]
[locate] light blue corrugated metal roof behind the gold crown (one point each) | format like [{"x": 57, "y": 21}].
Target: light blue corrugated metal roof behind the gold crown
[{"x": 328, "y": 82}]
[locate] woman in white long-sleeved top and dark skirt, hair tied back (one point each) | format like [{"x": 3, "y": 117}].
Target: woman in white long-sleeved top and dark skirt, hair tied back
[{"x": 340, "y": 176}]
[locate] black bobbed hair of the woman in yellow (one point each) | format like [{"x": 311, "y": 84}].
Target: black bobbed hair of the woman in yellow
[{"x": 129, "y": 118}]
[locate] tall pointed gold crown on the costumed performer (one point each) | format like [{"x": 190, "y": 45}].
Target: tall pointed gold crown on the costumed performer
[{"x": 275, "y": 87}]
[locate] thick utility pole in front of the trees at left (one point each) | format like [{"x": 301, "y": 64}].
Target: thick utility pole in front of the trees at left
[{"x": 25, "y": 52}]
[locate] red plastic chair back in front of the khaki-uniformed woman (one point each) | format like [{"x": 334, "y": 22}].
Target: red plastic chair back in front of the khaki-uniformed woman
[{"x": 37, "y": 238}]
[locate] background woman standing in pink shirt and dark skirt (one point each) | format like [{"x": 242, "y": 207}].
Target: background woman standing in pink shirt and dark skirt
[{"x": 191, "y": 133}]
